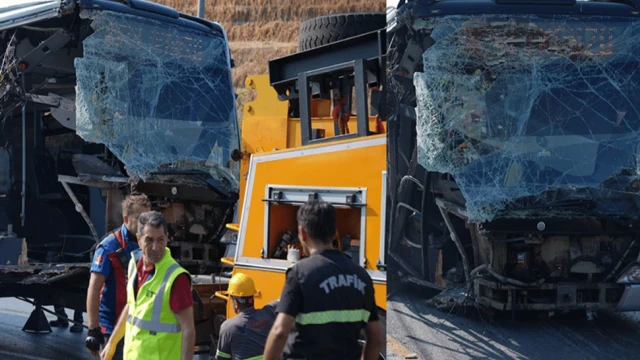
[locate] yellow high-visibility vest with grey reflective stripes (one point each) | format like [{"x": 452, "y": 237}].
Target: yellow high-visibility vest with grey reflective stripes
[{"x": 152, "y": 330}]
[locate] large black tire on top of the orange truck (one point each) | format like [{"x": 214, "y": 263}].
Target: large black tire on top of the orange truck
[{"x": 327, "y": 29}]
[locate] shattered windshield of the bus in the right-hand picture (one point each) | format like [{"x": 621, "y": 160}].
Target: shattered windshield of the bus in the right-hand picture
[{"x": 530, "y": 111}]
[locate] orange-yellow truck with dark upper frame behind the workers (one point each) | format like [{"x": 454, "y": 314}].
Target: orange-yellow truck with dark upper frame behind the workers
[{"x": 298, "y": 145}]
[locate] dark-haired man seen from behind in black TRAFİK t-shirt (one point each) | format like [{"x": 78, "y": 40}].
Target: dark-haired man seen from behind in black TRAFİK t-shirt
[{"x": 327, "y": 299}]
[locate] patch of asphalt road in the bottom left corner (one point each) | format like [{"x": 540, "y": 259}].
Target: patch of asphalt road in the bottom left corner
[{"x": 61, "y": 344}]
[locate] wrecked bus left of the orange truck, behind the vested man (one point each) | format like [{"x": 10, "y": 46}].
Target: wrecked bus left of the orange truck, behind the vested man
[{"x": 100, "y": 99}]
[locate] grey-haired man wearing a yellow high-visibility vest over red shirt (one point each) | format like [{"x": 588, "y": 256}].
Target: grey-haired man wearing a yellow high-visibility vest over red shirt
[{"x": 157, "y": 322}]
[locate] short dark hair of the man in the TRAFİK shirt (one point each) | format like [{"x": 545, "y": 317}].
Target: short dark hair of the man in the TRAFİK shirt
[{"x": 318, "y": 219}]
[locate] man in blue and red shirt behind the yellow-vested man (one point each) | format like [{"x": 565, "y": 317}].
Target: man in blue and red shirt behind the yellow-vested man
[{"x": 107, "y": 294}]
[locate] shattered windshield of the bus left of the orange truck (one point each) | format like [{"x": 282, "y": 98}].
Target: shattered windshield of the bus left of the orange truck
[{"x": 158, "y": 95}]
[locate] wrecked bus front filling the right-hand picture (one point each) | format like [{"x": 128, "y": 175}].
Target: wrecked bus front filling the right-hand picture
[{"x": 513, "y": 137}]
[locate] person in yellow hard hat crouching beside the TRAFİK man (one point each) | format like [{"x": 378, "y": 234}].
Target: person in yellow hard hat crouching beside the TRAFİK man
[{"x": 244, "y": 336}]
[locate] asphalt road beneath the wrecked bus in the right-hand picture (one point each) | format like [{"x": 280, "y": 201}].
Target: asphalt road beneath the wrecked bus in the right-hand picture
[{"x": 430, "y": 333}]
